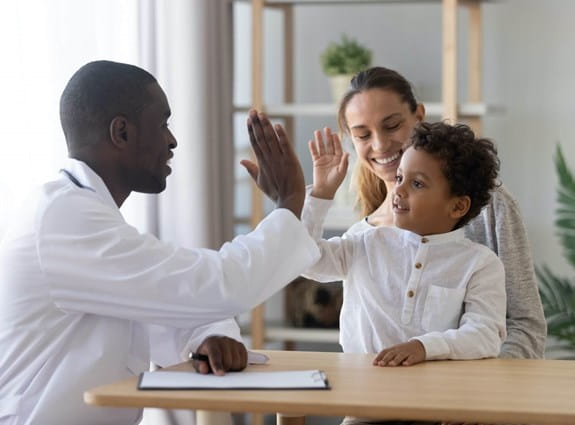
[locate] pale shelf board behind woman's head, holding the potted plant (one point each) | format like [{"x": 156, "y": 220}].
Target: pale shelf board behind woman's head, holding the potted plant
[{"x": 433, "y": 109}]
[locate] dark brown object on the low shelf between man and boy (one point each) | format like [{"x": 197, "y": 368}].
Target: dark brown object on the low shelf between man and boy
[{"x": 311, "y": 304}]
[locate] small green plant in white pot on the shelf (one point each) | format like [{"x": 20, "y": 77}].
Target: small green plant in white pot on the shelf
[{"x": 340, "y": 61}]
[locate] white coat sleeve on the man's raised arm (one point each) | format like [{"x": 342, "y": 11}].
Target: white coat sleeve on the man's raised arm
[{"x": 96, "y": 263}]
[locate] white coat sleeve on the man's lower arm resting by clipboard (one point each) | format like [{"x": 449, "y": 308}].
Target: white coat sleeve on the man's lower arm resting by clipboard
[{"x": 172, "y": 345}]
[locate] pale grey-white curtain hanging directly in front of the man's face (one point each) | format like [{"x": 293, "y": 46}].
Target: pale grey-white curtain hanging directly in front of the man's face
[{"x": 187, "y": 45}]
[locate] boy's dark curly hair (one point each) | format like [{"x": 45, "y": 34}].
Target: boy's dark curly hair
[{"x": 470, "y": 165}]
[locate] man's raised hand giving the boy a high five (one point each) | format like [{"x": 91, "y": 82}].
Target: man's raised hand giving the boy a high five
[{"x": 278, "y": 171}]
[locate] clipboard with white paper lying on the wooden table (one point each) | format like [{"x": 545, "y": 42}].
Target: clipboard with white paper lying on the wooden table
[{"x": 279, "y": 380}]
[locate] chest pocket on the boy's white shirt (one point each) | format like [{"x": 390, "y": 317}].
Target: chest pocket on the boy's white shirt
[{"x": 443, "y": 308}]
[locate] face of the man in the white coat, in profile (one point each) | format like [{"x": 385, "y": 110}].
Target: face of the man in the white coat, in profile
[{"x": 152, "y": 145}]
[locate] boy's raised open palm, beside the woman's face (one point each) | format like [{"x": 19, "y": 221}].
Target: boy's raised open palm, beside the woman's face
[{"x": 329, "y": 163}]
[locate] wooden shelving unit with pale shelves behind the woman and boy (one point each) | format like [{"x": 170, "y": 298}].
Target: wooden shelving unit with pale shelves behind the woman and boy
[{"x": 472, "y": 110}]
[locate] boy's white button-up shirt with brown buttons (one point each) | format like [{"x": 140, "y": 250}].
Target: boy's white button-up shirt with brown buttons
[{"x": 443, "y": 290}]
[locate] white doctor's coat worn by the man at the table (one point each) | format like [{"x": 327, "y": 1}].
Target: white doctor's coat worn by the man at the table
[{"x": 86, "y": 300}]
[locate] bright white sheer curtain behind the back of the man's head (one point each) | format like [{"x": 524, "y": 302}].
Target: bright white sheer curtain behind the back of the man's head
[{"x": 42, "y": 43}]
